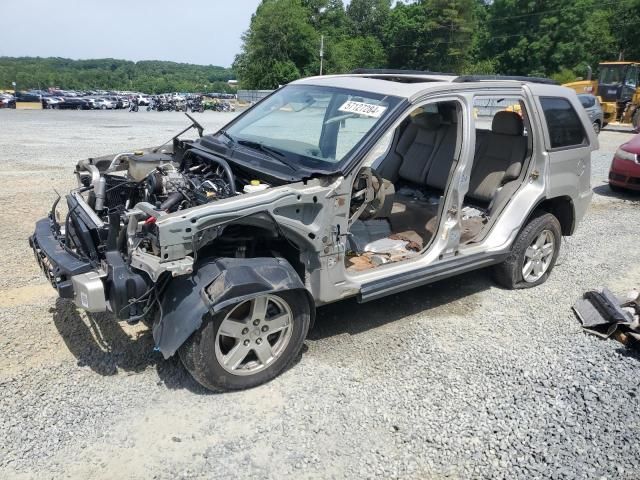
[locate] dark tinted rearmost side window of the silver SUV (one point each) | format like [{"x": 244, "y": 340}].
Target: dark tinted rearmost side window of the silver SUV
[{"x": 565, "y": 127}]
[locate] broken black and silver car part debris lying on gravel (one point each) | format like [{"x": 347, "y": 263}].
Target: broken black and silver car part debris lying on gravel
[{"x": 603, "y": 314}]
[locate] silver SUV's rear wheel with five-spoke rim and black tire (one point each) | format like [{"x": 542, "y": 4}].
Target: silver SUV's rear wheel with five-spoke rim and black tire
[{"x": 533, "y": 255}]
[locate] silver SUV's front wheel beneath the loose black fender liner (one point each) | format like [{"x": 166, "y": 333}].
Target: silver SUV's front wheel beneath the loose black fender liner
[{"x": 249, "y": 343}]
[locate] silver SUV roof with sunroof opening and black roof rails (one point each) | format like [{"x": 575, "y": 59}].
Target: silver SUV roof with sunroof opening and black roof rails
[{"x": 413, "y": 85}]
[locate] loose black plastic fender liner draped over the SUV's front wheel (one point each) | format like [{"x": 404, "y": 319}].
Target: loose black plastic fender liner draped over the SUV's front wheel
[{"x": 216, "y": 284}]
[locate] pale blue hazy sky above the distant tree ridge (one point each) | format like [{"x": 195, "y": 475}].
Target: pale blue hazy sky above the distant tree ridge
[{"x": 205, "y": 32}]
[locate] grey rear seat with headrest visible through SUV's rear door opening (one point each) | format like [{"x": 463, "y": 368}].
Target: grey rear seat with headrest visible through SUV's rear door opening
[{"x": 499, "y": 157}]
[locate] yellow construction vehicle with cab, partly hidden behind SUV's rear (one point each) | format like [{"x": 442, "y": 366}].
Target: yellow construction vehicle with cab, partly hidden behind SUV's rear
[{"x": 618, "y": 89}]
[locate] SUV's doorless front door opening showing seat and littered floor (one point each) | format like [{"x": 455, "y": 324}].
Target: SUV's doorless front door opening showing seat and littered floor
[{"x": 395, "y": 204}]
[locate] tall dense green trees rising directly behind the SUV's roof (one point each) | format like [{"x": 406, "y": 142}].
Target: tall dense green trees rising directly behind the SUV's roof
[{"x": 555, "y": 38}]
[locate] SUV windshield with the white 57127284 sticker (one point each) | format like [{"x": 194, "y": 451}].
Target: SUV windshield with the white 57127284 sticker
[{"x": 312, "y": 123}]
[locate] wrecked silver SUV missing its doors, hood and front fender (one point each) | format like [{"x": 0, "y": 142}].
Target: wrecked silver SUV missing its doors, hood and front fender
[{"x": 359, "y": 185}]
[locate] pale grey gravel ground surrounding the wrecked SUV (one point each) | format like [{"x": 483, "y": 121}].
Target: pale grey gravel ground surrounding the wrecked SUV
[{"x": 459, "y": 379}]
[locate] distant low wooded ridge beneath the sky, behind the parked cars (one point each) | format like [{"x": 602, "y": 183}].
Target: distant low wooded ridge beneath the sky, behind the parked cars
[{"x": 111, "y": 74}]
